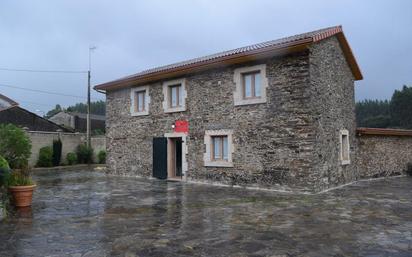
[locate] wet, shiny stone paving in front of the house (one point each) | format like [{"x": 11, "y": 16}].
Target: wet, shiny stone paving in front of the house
[{"x": 88, "y": 214}]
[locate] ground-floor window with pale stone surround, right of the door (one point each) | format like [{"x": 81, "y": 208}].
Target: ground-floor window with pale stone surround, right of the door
[{"x": 219, "y": 148}]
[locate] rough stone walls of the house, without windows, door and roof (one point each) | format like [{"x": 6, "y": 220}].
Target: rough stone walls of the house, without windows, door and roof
[{"x": 291, "y": 142}]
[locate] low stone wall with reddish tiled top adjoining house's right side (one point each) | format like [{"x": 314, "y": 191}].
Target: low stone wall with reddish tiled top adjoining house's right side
[{"x": 383, "y": 152}]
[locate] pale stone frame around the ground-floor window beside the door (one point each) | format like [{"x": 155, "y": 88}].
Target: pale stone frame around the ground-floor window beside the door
[{"x": 207, "y": 157}]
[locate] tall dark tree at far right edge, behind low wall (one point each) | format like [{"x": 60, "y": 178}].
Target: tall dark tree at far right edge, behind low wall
[{"x": 401, "y": 108}]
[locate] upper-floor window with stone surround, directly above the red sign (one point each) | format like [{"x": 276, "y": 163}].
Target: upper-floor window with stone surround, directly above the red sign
[{"x": 174, "y": 96}]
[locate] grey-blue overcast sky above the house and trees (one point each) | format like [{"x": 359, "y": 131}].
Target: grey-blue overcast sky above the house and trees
[{"x": 134, "y": 35}]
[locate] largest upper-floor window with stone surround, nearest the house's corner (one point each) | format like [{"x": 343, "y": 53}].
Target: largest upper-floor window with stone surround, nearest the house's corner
[{"x": 251, "y": 84}]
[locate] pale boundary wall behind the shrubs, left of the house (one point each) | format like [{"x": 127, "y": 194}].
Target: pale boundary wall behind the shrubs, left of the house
[{"x": 70, "y": 141}]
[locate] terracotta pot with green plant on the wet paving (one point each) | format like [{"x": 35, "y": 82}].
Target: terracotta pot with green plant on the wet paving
[{"x": 21, "y": 187}]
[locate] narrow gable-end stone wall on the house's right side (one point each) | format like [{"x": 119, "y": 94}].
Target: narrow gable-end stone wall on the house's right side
[{"x": 333, "y": 103}]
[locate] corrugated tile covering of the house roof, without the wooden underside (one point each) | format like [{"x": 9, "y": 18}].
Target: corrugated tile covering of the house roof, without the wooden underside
[{"x": 291, "y": 41}]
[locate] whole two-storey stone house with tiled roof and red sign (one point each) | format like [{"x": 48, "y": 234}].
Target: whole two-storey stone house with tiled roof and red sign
[{"x": 277, "y": 115}]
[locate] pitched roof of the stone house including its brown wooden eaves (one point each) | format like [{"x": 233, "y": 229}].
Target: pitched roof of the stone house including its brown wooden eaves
[{"x": 238, "y": 55}]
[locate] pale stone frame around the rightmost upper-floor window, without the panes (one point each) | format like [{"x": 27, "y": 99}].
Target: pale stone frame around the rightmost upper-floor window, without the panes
[{"x": 238, "y": 79}]
